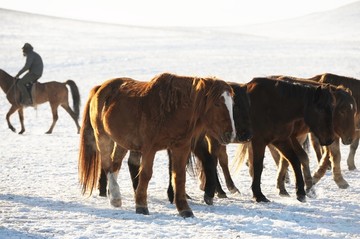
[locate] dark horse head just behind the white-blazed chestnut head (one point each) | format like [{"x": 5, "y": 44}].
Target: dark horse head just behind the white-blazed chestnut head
[{"x": 242, "y": 113}]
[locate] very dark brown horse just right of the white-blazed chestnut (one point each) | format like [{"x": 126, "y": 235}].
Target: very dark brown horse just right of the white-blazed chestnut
[{"x": 275, "y": 107}]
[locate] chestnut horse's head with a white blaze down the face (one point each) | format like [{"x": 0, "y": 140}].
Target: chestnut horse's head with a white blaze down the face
[{"x": 218, "y": 117}]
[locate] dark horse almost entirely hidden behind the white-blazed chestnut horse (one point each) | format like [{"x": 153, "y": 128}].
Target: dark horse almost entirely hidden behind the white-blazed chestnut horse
[{"x": 200, "y": 149}]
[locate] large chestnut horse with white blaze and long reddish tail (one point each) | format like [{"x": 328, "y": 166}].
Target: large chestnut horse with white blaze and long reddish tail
[{"x": 166, "y": 113}]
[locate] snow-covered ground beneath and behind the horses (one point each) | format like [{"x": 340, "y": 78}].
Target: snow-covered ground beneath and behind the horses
[{"x": 39, "y": 191}]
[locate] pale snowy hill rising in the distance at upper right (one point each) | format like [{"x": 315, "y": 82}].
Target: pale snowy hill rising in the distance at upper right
[{"x": 341, "y": 23}]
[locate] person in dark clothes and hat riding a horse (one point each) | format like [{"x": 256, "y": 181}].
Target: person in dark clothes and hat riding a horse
[{"x": 34, "y": 66}]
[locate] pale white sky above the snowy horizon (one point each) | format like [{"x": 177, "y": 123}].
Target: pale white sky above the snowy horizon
[{"x": 175, "y": 12}]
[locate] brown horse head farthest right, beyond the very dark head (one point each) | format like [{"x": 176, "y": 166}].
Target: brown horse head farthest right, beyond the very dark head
[{"x": 344, "y": 115}]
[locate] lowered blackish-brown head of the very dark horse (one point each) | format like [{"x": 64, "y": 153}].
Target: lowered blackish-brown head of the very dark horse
[{"x": 319, "y": 114}]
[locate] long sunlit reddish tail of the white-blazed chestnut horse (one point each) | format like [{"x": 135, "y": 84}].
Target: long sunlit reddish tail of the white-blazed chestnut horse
[{"x": 89, "y": 163}]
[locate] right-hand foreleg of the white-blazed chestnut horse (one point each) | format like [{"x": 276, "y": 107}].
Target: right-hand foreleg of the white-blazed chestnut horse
[{"x": 179, "y": 160}]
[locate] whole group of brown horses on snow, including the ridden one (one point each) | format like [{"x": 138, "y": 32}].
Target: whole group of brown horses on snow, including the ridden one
[{"x": 200, "y": 116}]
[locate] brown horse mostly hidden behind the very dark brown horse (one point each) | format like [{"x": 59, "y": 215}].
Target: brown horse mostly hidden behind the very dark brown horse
[{"x": 344, "y": 127}]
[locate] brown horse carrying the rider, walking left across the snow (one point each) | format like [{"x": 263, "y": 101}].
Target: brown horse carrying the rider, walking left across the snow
[{"x": 55, "y": 93}]
